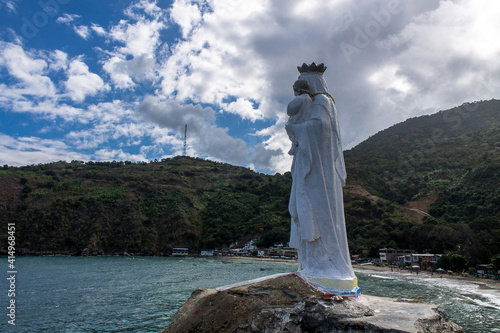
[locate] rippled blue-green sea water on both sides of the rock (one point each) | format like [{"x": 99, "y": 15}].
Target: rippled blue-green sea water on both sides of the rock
[{"x": 141, "y": 294}]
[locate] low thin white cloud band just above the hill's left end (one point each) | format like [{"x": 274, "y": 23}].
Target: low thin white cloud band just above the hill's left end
[{"x": 33, "y": 150}]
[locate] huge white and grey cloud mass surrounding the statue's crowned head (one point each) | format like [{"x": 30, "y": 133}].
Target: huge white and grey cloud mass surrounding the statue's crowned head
[{"x": 248, "y": 70}]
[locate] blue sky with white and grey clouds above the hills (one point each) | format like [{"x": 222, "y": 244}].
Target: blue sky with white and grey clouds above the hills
[{"x": 119, "y": 79}]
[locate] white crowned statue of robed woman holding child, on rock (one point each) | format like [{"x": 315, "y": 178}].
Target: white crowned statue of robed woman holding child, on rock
[{"x": 316, "y": 202}]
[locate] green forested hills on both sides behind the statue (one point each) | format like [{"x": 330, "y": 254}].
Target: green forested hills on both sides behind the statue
[{"x": 430, "y": 183}]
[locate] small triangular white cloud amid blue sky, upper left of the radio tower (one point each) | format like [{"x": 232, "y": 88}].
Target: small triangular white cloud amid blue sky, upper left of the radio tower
[{"x": 81, "y": 82}]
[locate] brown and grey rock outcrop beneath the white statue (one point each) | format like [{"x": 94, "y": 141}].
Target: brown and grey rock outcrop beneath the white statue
[{"x": 286, "y": 303}]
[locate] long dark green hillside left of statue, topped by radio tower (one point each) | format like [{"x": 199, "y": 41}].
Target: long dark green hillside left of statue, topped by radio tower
[{"x": 147, "y": 208}]
